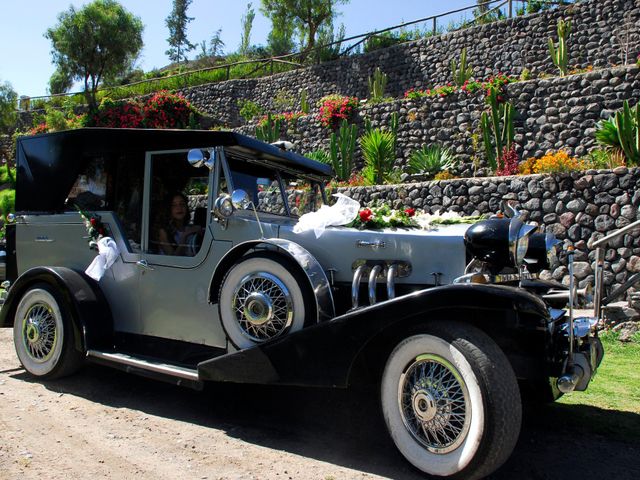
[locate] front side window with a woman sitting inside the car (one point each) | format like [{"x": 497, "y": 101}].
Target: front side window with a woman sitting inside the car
[{"x": 178, "y": 200}]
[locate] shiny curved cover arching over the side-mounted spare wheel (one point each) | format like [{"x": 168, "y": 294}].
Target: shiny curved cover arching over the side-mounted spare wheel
[{"x": 312, "y": 269}]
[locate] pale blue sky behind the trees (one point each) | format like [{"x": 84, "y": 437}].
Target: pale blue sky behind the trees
[{"x": 26, "y": 55}]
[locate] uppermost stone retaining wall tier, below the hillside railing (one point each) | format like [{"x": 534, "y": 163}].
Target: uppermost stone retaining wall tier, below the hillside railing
[{"x": 599, "y": 38}]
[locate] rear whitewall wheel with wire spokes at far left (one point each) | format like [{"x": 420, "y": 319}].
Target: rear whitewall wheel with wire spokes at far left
[{"x": 43, "y": 334}]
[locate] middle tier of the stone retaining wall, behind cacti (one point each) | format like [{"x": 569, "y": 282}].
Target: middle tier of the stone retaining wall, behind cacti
[{"x": 552, "y": 114}]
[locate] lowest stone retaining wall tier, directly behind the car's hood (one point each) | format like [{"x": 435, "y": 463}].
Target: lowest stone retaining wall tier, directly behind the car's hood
[{"x": 579, "y": 208}]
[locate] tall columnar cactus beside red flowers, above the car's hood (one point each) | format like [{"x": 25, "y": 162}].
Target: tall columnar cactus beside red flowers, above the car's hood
[{"x": 497, "y": 128}]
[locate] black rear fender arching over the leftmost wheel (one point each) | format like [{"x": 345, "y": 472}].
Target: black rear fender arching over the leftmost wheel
[{"x": 91, "y": 315}]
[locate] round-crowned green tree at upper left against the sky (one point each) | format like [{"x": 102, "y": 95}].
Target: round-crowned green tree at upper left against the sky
[{"x": 100, "y": 40}]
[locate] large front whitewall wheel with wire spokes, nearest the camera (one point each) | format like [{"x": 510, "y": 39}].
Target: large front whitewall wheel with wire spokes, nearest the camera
[{"x": 451, "y": 402}]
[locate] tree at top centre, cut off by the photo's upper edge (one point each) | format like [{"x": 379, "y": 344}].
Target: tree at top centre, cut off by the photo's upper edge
[{"x": 307, "y": 16}]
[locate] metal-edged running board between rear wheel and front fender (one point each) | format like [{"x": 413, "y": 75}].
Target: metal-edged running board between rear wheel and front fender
[{"x": 148, "y": 367}]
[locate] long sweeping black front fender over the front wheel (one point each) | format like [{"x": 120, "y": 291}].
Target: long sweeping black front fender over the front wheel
[{"x": 325, "y": 354}]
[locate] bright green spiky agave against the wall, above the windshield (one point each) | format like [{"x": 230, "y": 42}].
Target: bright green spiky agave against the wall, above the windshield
[{"x": 377, "y": 147}]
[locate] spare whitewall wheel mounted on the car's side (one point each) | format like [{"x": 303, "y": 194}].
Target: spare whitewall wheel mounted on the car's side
[{"x": 263, "y": 297}]
